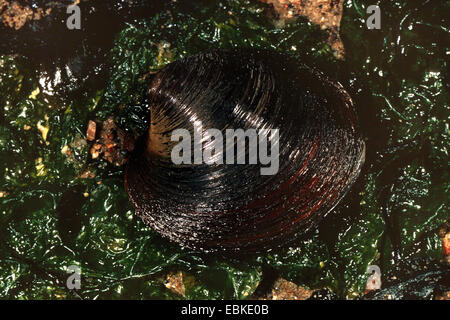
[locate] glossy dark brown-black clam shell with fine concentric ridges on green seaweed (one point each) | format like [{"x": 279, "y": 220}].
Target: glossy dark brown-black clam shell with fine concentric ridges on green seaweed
[{"x": 233, "y": 207}]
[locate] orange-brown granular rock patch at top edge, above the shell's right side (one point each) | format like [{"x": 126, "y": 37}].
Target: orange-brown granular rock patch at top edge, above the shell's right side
[{"x": 325, "y": 13}]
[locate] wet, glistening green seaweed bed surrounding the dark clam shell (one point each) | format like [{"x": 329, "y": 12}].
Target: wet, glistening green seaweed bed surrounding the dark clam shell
[{"x": 61, "y": 209}]
